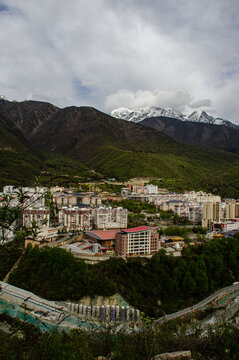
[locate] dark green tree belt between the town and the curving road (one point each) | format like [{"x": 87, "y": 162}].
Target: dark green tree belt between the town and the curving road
[{"x": 177, "y": 282}]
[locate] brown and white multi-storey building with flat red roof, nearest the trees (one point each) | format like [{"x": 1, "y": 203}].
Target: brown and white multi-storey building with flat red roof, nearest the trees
[{"x": 142, "y": 240}]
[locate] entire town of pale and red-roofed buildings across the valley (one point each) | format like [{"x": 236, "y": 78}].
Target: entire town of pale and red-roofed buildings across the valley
[{"x": 104, "y": 228}]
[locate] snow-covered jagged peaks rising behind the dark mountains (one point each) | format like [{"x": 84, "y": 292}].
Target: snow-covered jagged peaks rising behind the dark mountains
[{"x": 139, "y": 114}]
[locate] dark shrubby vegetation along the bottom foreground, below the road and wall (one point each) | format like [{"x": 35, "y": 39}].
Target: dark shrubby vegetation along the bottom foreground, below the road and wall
[{"x": 26, "y": 342}]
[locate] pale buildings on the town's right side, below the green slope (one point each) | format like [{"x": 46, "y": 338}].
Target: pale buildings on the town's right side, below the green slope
[{"x": 199, "y": 207}]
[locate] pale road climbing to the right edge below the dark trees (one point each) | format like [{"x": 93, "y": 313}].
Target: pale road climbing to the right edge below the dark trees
[{"x": 219, "y": 293}]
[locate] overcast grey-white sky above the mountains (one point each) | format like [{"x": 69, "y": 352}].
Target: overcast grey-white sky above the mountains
[{"x": 182, "y": 54}]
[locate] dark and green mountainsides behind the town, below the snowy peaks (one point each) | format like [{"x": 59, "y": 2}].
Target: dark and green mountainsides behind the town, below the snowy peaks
[{"x": 75, "y": 143}]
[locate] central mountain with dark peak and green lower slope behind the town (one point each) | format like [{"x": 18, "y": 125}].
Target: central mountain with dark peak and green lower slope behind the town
[{"x": 122, "y": 149}]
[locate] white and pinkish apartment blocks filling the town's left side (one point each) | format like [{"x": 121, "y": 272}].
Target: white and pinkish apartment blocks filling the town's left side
[{"x": 72, "y": 211}]
